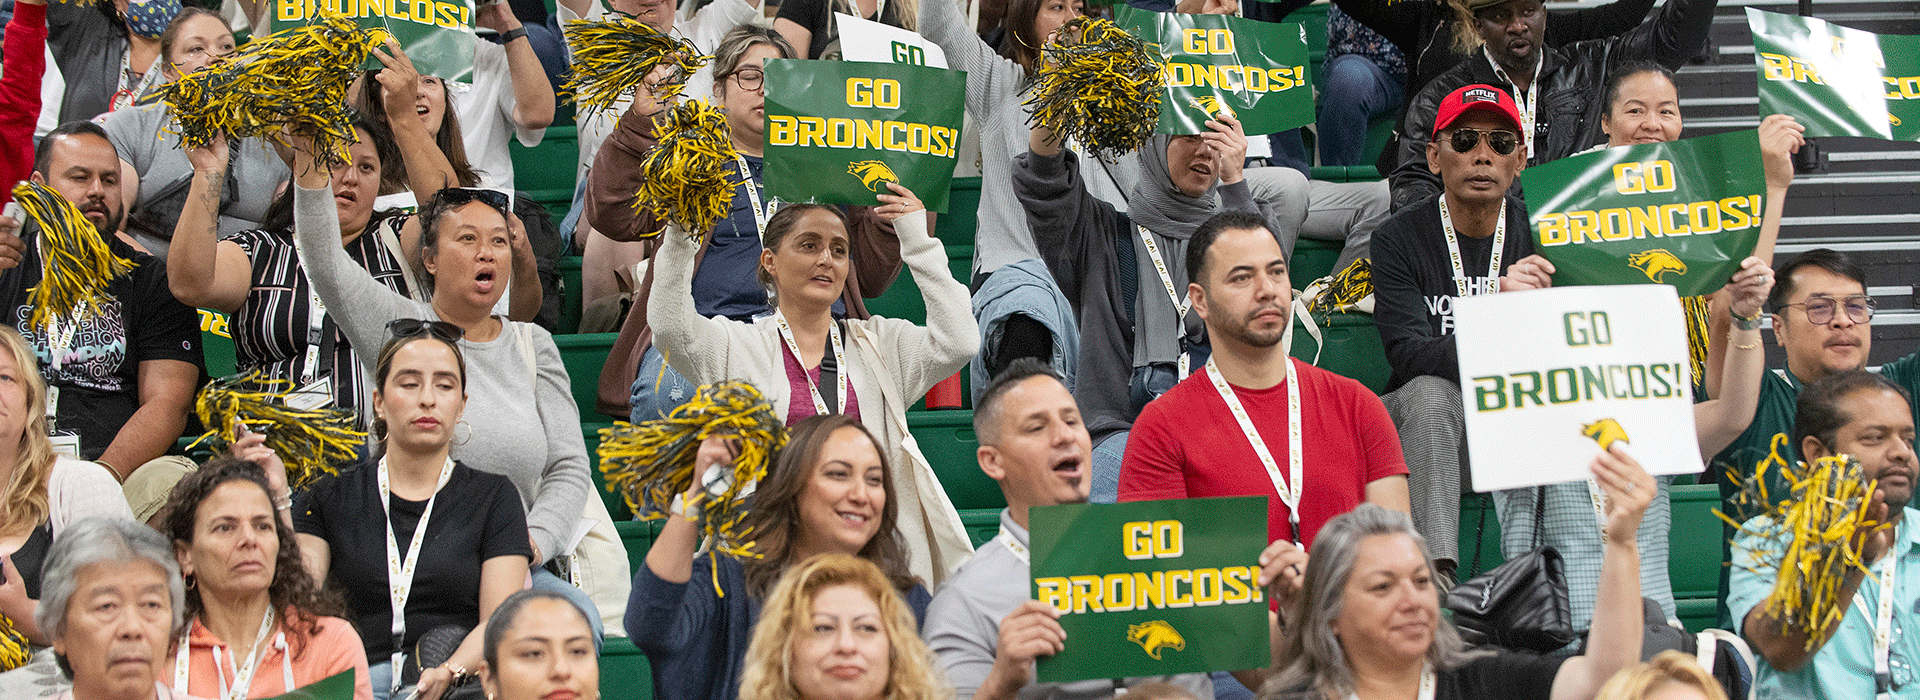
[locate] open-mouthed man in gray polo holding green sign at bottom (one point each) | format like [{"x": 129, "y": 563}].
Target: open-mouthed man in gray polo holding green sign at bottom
[{"x": 984, "y": 624}]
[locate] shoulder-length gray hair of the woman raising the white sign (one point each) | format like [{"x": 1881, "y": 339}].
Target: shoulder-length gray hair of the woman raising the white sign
[{"x": 1320, "y": 663}]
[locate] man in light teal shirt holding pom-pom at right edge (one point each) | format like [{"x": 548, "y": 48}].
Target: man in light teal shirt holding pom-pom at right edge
[{"x": 1873, "y": 647}]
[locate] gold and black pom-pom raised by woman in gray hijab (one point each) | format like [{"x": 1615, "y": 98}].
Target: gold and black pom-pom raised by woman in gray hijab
[{"x": 1099, "y": 87}]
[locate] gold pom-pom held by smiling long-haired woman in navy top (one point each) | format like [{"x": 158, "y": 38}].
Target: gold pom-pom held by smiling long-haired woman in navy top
[{"x": 652, "y": 463}]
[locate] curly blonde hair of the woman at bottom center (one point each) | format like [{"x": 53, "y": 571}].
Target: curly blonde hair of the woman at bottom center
[{"x": 769, "y": 672}]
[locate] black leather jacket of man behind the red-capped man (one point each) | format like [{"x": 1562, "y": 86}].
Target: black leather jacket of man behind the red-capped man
[{"x": 1572, "y": 87}]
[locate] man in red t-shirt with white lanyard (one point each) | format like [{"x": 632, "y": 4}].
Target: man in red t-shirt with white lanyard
[{"x": 1226, "y": 431}]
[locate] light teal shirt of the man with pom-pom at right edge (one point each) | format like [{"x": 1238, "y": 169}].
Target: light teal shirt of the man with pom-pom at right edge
[{"x": 1844, "y": 668}]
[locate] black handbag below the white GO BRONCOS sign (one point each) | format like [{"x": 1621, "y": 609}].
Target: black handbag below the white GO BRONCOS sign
[{"x": 1522, "y": 603}]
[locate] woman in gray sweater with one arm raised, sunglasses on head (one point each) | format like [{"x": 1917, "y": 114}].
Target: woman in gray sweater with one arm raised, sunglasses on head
[{"x": 521, "y": 417}]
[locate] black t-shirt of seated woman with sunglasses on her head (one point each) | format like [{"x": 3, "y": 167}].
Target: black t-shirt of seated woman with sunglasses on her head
[{"x": 477, "y": 517}]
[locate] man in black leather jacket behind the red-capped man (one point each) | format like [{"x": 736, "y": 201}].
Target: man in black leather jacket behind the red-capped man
[{"x": 1562, "y": 93}]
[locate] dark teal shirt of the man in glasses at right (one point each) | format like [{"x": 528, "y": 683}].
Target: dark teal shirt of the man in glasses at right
[{"x": 1775, "y": 417}]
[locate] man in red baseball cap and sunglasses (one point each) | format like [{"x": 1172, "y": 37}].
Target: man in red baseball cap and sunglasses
[{"x": 1472, "y": 239}]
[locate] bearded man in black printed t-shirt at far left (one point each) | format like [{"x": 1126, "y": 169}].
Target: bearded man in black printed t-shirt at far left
[{"x": 122, "y": 381}]
